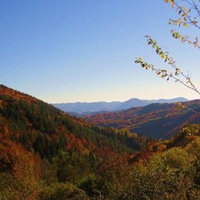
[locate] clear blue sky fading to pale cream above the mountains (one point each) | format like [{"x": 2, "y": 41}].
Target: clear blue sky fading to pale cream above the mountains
[{"x": 84, "y": 50}]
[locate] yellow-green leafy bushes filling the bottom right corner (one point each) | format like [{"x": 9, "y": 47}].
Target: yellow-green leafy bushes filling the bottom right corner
[{"x": 168, "y": 175}]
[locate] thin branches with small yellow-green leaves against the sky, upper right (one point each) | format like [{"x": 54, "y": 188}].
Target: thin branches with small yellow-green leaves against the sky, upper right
[{"x": 189, "y": 14}]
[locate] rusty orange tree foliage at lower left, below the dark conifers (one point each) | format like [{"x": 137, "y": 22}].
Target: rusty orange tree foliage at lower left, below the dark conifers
[{"x": 24, "y": 168}]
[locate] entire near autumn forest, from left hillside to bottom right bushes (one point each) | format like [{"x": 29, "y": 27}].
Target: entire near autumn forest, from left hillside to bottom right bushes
[{"x": 47, "y": 154}]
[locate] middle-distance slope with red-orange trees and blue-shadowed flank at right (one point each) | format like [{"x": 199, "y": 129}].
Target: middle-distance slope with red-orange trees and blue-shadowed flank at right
[{"x": 155, "y": 120}]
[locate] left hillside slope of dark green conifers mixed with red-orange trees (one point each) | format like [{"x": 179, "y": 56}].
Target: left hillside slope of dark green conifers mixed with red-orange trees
[{"x": 42, "y": 128}]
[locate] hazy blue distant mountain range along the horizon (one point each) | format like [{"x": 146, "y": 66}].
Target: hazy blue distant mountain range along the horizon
[{"x": 83, "y": 108}]
